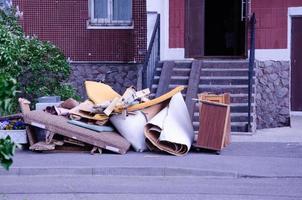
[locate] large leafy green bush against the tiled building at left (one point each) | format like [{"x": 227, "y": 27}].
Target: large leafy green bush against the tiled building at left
[{"x": 40, "y": 68}]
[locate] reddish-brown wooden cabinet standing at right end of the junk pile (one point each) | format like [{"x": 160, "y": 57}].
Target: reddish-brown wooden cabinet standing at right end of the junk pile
[{"x": 214, "y": 126}]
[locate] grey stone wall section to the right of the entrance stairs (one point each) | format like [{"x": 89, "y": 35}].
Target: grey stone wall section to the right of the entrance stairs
[{"x": 272, "y": 94}]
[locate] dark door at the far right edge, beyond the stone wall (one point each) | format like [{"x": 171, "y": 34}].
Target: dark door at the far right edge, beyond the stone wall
[{"x": 296, "y": 64}]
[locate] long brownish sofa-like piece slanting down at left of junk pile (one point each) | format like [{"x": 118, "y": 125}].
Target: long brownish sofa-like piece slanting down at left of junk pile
[{"x": 58, "y": 125}]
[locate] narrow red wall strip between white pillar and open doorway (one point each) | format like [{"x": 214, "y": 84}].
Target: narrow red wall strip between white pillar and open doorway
[{"x": 176, "y": 23}]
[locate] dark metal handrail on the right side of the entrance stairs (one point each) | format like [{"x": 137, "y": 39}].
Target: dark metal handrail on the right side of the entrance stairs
[{"x": 251, "y": 68}]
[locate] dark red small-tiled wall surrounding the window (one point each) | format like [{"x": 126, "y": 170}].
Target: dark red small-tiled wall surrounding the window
[{"x": 64, "y": 22}]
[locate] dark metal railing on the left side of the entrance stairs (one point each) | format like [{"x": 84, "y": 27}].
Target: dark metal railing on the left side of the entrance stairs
[{"x": 152, "y": 56}]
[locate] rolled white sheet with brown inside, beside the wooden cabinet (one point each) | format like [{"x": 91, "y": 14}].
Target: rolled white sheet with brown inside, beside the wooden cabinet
[{"x": 171, "y": 129}]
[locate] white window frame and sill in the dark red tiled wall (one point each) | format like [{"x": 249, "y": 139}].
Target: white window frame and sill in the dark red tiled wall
[{"x": 96, "y": 23}]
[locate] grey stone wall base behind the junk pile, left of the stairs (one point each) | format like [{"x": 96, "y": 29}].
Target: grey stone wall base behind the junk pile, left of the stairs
[{"x": 118, "y": 76}]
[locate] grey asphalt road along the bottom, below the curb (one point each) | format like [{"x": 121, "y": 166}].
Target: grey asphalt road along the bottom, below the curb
[{"x": 115, "y": 187}]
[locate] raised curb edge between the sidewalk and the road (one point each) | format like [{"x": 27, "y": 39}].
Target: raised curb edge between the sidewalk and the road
[{"x": 116, "y": 171}]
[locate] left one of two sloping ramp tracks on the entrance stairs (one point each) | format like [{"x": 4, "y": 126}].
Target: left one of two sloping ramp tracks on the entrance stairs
[{"x": 165, "y": 78}]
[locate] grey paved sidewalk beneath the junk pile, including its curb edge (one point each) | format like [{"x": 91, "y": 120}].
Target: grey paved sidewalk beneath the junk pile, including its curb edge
[{"x": 269, "y": 153}]
